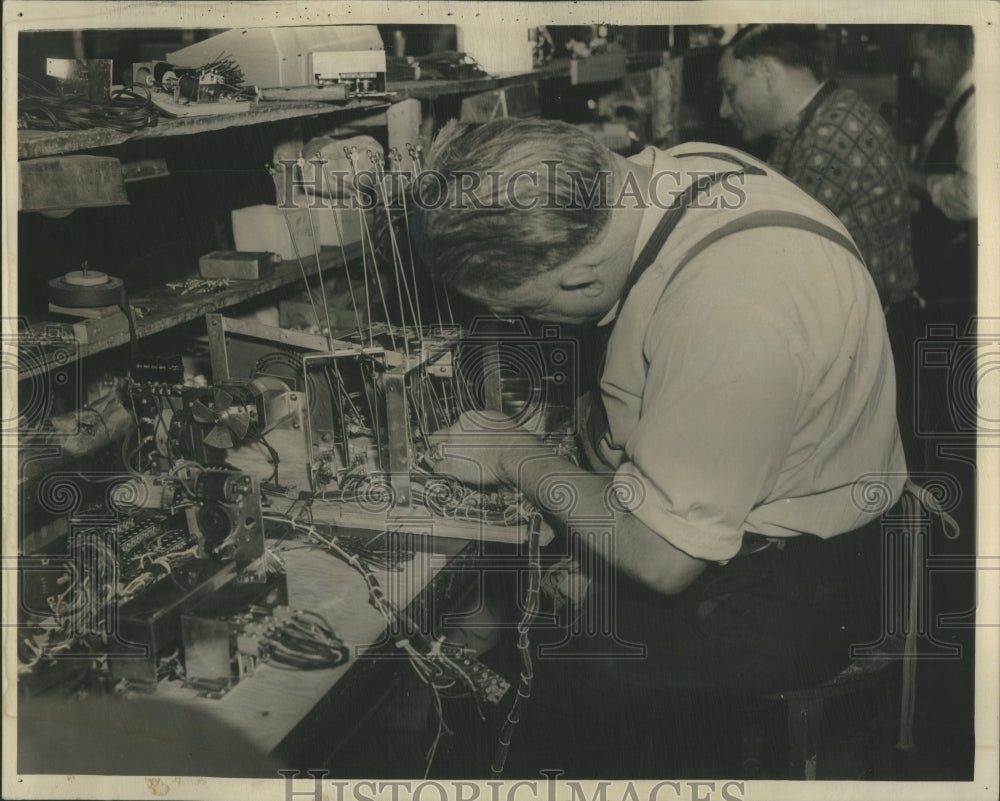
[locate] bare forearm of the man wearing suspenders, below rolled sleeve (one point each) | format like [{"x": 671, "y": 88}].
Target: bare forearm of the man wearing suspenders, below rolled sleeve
[{"x": 637, "y": 551}]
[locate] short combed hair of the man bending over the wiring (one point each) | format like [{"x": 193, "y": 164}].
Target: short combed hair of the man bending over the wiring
[{"x": 502, "y": 245}]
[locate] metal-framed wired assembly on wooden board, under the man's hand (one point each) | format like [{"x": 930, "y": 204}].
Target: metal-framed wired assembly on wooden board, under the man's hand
[{"x": 367, "y": 412}]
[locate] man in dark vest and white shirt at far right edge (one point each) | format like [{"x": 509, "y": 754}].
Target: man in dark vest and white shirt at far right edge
[{"x": 943, "y": 175}]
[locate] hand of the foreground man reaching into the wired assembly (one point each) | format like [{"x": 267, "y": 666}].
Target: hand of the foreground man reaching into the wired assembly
[{"x": 483, "y": 448}]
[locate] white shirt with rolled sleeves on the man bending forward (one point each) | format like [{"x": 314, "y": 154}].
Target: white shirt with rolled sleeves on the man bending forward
[{"x": 757, "y": 393}]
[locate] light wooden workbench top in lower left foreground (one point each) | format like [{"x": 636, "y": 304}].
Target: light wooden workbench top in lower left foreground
[{"x": 275, "y": 718}]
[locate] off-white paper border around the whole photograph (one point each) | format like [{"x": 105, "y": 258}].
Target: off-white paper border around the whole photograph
[{"x": 982, "y": 14}]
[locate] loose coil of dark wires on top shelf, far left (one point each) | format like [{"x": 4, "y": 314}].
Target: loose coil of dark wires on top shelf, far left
[{"x": 40, "y": 108}]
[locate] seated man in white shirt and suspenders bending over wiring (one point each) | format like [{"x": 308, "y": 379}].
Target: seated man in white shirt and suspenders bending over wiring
[{"x": 746, "y": 405}]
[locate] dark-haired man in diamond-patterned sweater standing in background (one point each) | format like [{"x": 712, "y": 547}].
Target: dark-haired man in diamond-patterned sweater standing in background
[{"x": 835, "y": 147}]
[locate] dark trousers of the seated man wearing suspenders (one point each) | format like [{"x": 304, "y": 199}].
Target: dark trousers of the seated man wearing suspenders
[{"x": 780, "y": 618}]
